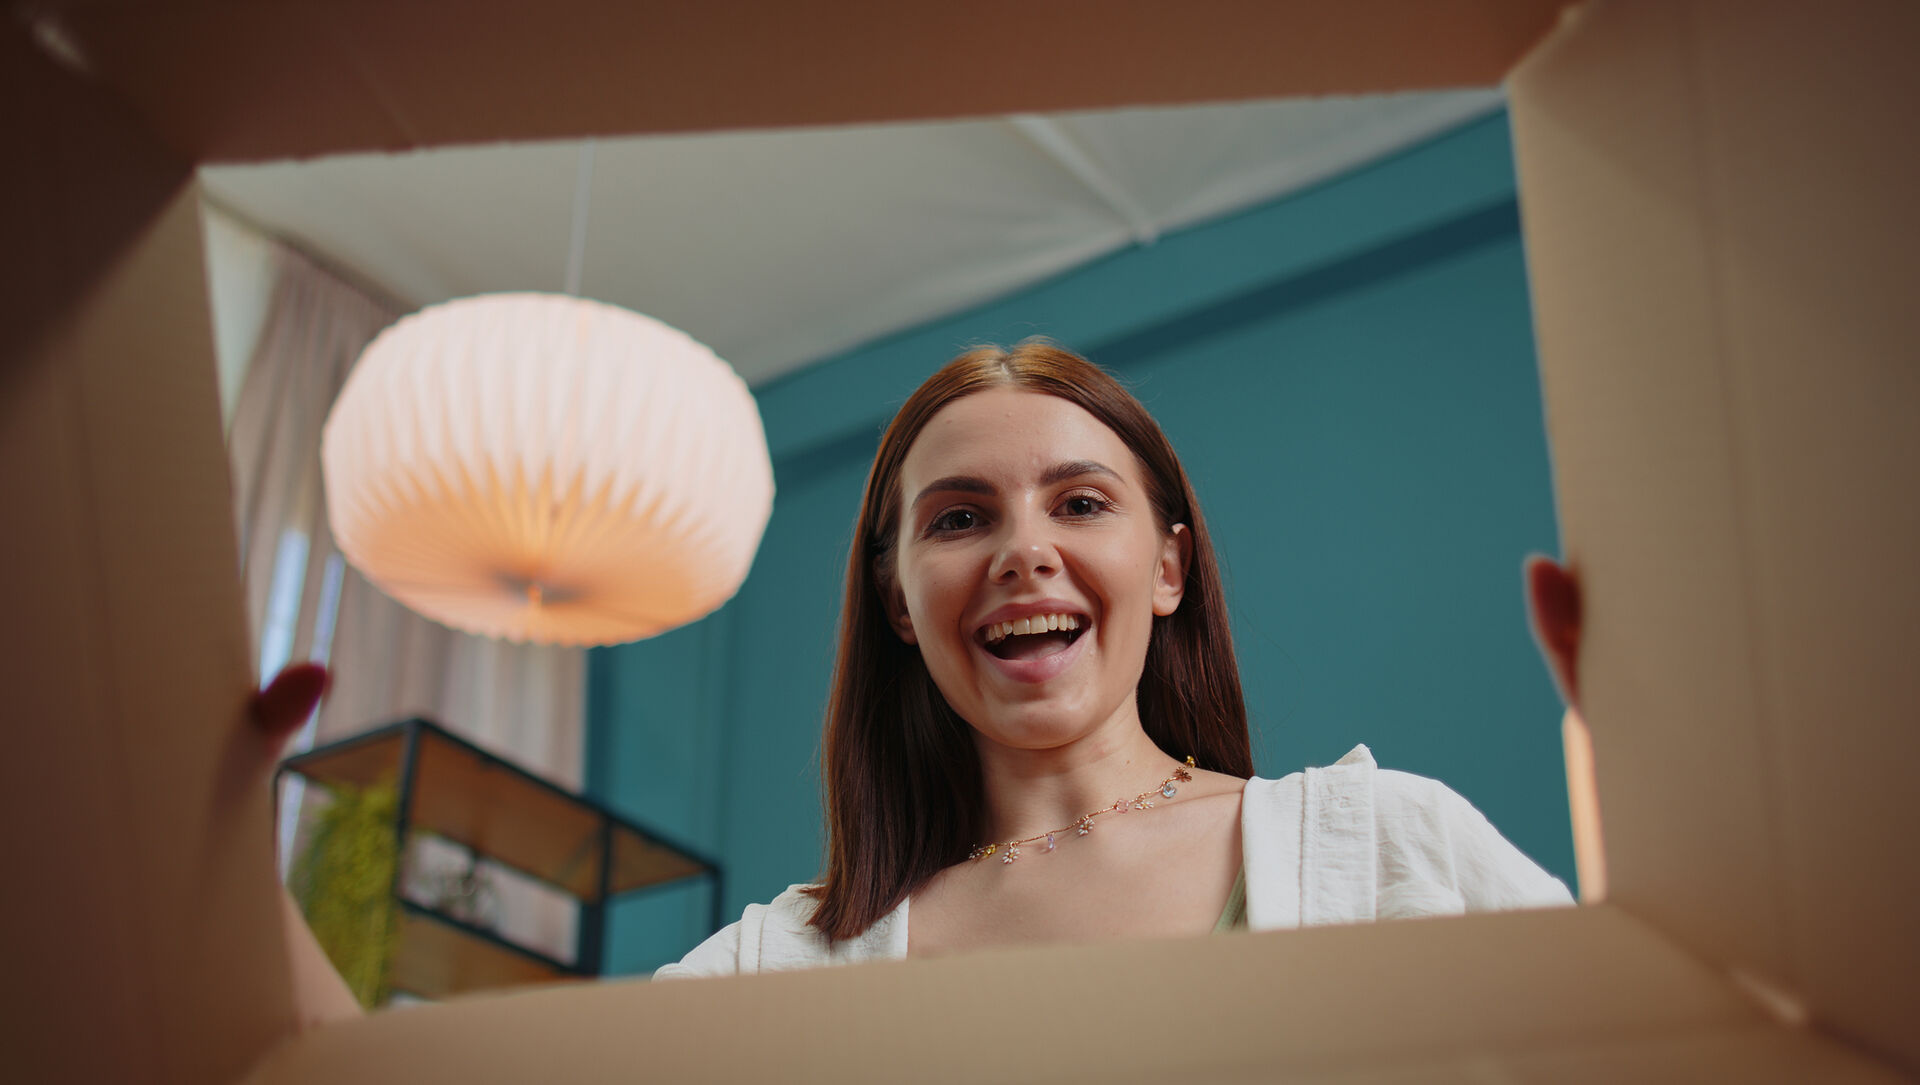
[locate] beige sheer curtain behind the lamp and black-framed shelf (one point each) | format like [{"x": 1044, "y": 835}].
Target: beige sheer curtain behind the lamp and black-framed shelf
[{"x": 519, "y": 702}]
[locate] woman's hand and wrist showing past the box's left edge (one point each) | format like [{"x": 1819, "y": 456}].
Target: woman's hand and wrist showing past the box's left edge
[{"x": 276, "y": 713}]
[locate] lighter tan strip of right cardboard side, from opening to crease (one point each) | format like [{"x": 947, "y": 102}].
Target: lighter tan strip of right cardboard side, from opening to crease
[{"x": 1627, "y": 322}]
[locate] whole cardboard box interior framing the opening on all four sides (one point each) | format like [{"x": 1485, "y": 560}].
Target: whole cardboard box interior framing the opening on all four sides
[{"x": 1717, "y": 210}]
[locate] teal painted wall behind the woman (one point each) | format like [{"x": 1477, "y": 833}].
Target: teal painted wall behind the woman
[{"x": 1349, "y": 375}]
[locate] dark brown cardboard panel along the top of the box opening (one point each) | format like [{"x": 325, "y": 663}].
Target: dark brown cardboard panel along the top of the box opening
[{"x": 245, "y": 82}]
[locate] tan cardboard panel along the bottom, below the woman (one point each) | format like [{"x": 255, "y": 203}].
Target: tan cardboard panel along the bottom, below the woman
[{"x": 1458, "y": 1000}]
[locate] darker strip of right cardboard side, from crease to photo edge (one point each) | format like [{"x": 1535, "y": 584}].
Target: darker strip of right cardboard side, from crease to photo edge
[{"x": 1815, "y": 174}]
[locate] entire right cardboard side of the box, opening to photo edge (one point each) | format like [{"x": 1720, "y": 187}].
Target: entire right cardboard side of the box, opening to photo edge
[{"x": 1719, "y": 216}]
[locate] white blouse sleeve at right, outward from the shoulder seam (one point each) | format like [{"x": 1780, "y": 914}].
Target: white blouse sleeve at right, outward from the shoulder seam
[{"x": 1441, "y": 856}]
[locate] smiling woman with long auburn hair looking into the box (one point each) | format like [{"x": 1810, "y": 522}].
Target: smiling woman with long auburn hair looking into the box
[{"x": 1036, "y": 729}]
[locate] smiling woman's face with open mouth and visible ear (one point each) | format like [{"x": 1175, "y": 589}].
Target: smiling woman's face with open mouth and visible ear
[{"x": 1030, "y": 567}]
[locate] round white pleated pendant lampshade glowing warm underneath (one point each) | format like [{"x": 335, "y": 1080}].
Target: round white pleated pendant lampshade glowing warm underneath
[{"x": 548, "y": 470}]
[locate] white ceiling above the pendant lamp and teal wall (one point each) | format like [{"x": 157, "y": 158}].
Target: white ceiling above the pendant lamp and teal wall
[{"x": 786, "y": 247}]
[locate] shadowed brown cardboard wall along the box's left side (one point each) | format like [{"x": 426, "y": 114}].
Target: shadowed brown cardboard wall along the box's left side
[{"x": 139, "y": 930}]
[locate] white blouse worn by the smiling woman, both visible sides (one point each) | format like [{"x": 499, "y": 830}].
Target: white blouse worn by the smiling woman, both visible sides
[{"x": 1330, "y": 846}]
